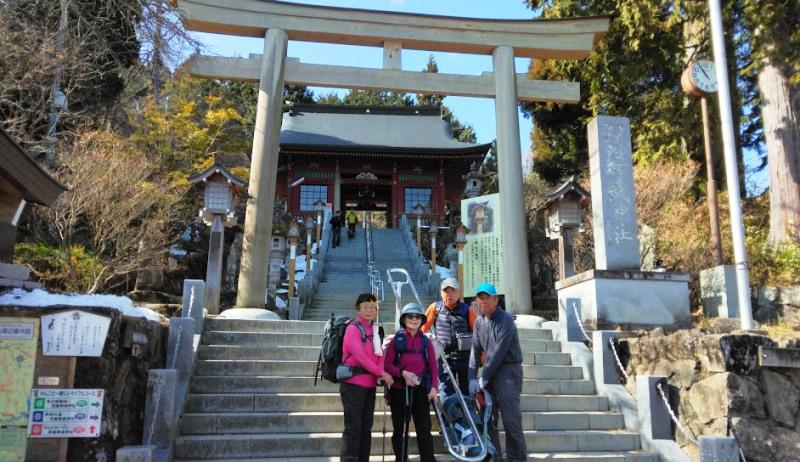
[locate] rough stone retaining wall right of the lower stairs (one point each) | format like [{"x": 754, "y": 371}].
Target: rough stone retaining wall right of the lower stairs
[{"x": 717, "y": 388}]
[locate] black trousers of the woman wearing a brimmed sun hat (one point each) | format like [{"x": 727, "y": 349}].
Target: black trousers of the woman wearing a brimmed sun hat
[{"x": 420, "y": 412}]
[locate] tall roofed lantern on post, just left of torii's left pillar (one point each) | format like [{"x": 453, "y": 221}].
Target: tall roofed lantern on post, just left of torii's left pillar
[{"x": 221, "y": 189}]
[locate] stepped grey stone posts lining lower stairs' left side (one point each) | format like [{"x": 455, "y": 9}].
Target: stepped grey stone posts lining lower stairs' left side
[{"x": 168, "y": 388}]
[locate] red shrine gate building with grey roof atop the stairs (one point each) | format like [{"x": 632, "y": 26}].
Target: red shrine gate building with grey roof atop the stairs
[{"x": 384, "y": 159}]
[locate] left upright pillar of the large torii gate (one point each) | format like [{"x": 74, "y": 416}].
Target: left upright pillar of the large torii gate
[{"x": 263, "y": 168}]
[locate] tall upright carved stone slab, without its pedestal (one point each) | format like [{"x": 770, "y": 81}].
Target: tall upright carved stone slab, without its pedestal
[{"x": 616, "y": 241}]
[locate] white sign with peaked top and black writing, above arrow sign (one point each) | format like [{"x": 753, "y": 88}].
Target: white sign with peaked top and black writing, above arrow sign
[{"x": 74, "y": 333}]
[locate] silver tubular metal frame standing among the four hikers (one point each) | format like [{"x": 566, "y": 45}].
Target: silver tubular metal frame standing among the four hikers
[{"x": 455, "y": 449}]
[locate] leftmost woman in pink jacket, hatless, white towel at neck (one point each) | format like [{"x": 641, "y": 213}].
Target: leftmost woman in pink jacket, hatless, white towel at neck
[{"x": 365, "y": 358}]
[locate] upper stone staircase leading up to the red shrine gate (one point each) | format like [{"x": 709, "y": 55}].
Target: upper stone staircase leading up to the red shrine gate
[{"x": 345, "y": 274}]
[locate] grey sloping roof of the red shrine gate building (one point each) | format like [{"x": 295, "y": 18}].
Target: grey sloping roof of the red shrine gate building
[{"x": 373, "y": 128}]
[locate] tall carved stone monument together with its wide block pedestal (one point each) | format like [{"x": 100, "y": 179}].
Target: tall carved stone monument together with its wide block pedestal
[{"x": 617, "y": 292}]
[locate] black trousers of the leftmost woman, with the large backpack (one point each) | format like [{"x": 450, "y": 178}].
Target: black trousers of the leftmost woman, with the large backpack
[{"x": 359, "y": 411}]
